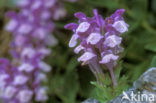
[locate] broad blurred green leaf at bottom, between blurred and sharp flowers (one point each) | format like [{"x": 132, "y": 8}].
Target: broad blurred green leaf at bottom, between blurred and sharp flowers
[{"x": 65, "y": 86}]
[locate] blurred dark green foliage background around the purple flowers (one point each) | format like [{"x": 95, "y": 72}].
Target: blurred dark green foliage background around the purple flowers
[{"x": 69, "y": 82}]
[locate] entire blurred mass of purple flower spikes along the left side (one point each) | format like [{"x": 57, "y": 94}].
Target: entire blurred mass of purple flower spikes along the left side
[{"x": 31, "y": 28}]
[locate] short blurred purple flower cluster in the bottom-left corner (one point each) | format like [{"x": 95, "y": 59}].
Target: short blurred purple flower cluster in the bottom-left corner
[{"x": 12, "y": 86}]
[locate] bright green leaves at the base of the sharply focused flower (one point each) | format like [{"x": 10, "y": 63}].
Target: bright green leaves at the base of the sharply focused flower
[{"x": 105, "y": 91}]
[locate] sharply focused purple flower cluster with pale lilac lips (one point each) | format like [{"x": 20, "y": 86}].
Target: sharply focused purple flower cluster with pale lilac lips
[{"x": 99, "y": 40}]
